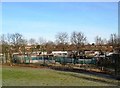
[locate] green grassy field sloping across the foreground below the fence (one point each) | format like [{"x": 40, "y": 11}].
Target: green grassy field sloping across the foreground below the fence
[{"x": 26, "y": 76}]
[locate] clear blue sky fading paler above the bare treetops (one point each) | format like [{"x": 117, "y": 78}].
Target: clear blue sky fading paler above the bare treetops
[{"x": 46, "y": 19}]
